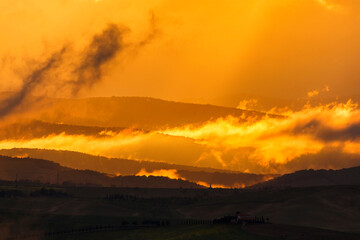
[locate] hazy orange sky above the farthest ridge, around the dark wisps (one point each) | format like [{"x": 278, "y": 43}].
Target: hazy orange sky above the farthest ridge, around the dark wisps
[{"x": 176, "y": 50}]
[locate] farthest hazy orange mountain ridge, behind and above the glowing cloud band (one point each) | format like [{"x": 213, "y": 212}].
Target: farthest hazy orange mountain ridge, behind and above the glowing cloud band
[{"x": 138, "y": 112}]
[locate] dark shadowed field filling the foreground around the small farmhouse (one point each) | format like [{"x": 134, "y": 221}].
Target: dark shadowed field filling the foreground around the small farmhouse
[{"x": 135, "y": 213}]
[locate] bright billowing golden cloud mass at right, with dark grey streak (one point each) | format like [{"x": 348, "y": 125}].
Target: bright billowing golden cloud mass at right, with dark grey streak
[{"x": 270, "y": 142}]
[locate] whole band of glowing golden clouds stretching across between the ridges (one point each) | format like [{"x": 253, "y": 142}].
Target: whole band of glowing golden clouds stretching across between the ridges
[{"x": 319, "y": 137}]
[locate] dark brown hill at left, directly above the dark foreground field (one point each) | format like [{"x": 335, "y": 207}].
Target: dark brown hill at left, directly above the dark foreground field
[{"x": 44, "y": 171}]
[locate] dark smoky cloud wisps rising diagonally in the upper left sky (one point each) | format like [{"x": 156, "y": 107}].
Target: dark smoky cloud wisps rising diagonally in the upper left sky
[{"x": 103, "y": 48}]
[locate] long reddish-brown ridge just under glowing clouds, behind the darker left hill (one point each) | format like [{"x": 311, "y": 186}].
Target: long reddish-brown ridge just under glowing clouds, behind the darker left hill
[{"x": 131, "y": 167}]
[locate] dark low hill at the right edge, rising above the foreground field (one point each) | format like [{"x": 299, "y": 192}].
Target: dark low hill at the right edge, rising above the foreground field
[{"x": 310, "y": 178}]
